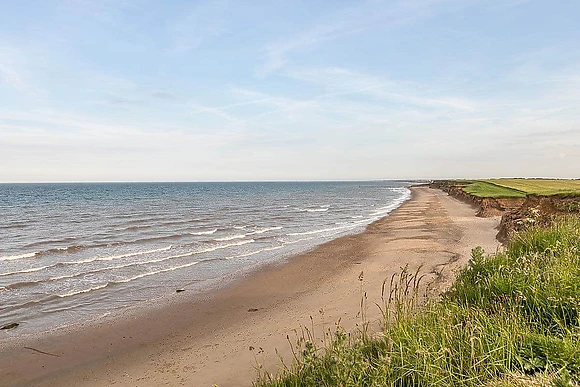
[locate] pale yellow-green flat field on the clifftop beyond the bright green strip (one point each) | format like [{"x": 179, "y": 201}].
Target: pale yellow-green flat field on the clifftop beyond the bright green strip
[{"x": 543, "y": 187}]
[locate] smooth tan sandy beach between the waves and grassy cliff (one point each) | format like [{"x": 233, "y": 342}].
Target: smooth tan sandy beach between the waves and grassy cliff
[{"x": 219, "y": 338}]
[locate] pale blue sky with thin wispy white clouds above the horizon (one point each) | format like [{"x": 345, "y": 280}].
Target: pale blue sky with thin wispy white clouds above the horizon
[{"x": 142, "y": 90}]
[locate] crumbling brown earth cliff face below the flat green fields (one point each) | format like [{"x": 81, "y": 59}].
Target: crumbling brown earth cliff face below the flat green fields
[{"x": 516, "y": 213}]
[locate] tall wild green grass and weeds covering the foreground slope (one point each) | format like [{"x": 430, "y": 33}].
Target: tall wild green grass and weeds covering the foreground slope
[{"x": 510, "y": 319}]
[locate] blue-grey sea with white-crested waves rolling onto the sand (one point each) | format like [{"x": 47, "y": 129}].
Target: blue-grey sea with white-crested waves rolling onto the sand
[{"x": 74, "y": 253}]
